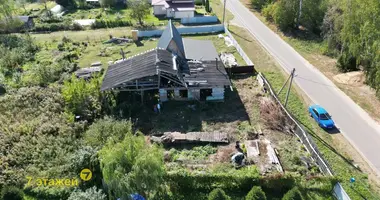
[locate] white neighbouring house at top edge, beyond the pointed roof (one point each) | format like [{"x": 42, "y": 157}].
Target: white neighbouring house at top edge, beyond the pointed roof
[{"x": 174, "y": 8}]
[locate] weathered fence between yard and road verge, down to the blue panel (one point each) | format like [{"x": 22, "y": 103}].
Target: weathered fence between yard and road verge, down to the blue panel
[{"x": 308, "y": 142}]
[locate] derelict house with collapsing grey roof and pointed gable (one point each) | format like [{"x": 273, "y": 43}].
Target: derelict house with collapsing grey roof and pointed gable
[{"x": 178, "y": 68}]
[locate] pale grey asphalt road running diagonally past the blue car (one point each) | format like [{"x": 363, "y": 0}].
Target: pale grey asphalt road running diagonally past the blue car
[{"x": 353, "y": 122}]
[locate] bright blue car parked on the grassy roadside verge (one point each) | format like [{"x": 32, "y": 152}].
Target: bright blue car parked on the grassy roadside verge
[{"x": 321, "y": 116}]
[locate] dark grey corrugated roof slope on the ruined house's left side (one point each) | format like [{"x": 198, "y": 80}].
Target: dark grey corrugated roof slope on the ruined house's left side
[{"x": 136, "y": 67}]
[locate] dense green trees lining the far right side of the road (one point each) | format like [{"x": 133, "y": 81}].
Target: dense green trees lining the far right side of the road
[{"x": 350, "y": 29}]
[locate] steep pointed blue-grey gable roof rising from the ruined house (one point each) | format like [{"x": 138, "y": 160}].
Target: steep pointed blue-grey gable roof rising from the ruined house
[{"x": 169, "y": 34}]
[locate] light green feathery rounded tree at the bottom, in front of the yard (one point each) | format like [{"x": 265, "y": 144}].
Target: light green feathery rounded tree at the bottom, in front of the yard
[{"x": 132, "y": 166}]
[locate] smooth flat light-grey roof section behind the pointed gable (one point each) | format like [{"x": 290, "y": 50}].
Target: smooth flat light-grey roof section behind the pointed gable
[{"x": 199, "y": 49}]
